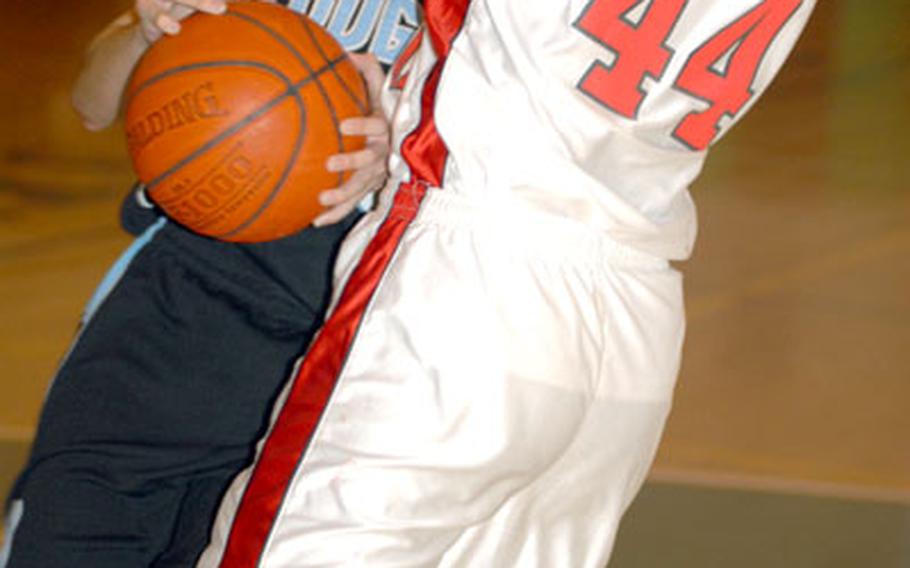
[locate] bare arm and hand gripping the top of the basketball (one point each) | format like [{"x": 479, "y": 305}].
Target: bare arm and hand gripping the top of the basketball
[{"x": 113, "y": 54}]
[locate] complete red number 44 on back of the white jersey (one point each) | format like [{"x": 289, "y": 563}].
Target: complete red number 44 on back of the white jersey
[{"x": 721, "y": 72}]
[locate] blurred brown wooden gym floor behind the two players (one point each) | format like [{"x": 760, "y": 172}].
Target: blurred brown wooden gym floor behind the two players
[{"x": 789, "y": 444}]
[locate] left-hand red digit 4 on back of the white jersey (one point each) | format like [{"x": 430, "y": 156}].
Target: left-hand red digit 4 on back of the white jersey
[{"x": 635, "y": 31}]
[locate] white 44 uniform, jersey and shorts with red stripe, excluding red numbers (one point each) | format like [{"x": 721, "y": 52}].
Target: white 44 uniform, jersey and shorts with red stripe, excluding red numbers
[{"x": 492, "y": 382}]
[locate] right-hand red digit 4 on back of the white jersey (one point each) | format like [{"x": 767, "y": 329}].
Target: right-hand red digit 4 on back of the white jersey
[{"x": 722, "y": 71}]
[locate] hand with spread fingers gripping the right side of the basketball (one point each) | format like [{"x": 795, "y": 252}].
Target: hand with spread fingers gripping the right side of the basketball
[{"x": 369, "y": 165}]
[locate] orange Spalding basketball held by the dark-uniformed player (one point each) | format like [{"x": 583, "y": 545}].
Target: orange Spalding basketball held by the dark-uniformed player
[{"x": 229, "y": 123}]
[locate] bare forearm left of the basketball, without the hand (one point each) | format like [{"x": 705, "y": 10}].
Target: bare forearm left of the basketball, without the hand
[{"x": 109, "y": 61}]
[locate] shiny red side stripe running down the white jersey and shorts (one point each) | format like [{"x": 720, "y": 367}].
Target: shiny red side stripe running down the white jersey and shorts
[{"x": 314, "y": 382}]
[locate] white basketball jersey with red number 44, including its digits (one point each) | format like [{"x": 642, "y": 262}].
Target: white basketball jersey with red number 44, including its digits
[{"x": 594, "y": 110}]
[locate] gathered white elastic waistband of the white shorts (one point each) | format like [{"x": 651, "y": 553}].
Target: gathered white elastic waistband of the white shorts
[{"x": 541, "y": 233}]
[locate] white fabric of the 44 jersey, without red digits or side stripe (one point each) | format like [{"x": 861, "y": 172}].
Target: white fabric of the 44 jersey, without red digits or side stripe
[{"x": 517, "y": 126}]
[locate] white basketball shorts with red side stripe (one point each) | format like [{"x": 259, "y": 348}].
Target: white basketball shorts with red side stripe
[{"x": 494, "y": 398}]
